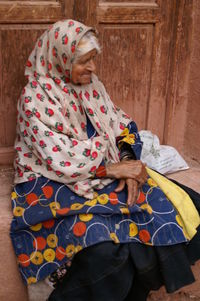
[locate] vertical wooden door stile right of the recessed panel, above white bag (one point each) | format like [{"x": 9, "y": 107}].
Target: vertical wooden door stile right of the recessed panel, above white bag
[{"x": 160, "y": 73}]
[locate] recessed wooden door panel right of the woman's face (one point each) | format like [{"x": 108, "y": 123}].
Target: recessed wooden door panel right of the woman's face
[{"x": 127, "y": 51}]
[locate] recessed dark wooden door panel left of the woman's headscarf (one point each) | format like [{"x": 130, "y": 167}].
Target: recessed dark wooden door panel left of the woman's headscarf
[{"x": 14, "y": 57}]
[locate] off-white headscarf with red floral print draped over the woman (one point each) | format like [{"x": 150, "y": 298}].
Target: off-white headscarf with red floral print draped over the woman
[{"x": 51, "y": 127}]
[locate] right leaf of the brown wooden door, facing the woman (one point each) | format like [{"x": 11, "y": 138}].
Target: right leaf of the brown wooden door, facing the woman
[{"x": 137, "y": 39}]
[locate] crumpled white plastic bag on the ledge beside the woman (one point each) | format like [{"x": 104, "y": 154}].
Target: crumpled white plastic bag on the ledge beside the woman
[{"x": 163, "y": 158}]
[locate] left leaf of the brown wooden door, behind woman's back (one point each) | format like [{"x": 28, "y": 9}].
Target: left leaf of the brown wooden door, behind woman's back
[{"x": 21, "y": 22}]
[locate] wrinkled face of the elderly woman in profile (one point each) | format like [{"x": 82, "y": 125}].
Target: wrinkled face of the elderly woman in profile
[{"x": 83, "y": 68}]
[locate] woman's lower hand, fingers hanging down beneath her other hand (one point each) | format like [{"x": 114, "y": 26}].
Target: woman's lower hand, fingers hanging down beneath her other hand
[{"x": 132, "y": 187}]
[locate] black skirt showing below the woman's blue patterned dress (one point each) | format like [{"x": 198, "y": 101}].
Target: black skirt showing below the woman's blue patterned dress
[{"x": 128, "y": 272}]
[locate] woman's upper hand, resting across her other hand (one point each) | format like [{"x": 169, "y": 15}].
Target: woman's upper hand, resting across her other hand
[{"x": 131, "y": 169}]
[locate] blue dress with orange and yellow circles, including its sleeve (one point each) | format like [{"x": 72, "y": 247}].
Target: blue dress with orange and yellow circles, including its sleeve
[{"x": 51, "y": 223}]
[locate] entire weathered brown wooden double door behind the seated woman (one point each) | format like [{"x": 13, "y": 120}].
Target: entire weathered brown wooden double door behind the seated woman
[{"x": 145, "y": 60}]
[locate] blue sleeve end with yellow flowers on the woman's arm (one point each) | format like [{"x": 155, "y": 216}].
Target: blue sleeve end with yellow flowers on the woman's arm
[{"x": 131, "y": 137}]
